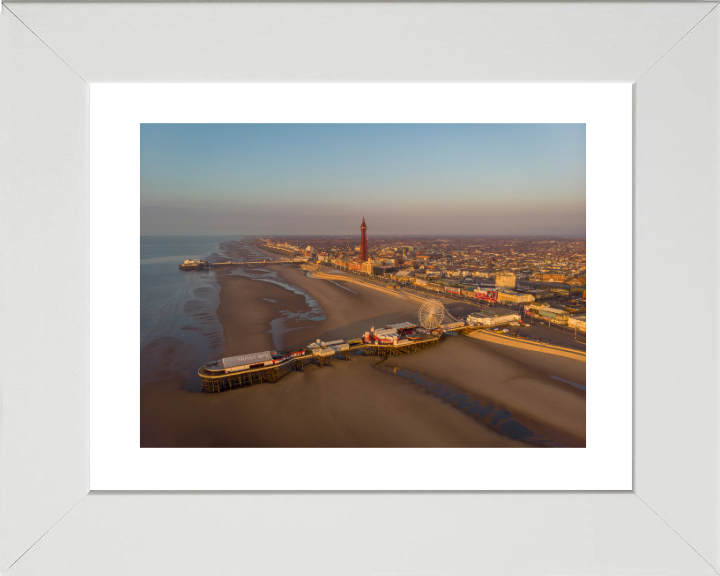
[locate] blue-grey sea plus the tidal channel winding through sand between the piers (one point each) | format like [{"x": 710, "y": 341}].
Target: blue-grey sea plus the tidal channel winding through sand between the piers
[{"x": 182, "y": 306}]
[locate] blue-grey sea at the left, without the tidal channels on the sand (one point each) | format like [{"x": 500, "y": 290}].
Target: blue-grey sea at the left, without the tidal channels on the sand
[{"x": 176, "y": 304}]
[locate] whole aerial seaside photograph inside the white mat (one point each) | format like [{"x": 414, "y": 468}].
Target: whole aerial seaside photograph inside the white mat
[{"x": 363, "y": 285}]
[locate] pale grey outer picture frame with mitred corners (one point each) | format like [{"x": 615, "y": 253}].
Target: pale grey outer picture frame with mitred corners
[{"x": 49, "y": 523}]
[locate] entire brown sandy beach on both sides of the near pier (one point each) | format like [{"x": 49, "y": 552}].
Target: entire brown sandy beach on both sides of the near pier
[{"x": 524, "y": 397}]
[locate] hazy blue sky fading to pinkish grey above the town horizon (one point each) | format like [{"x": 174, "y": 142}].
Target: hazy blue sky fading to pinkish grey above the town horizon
[{"x": 465, "y": 179}]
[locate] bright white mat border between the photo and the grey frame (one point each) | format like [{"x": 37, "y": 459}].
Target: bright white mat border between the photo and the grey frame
[{"x": 117, "y": 460}]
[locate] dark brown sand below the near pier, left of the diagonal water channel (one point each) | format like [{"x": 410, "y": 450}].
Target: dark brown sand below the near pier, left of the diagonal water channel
[{"x": 350, "y": 404}]
